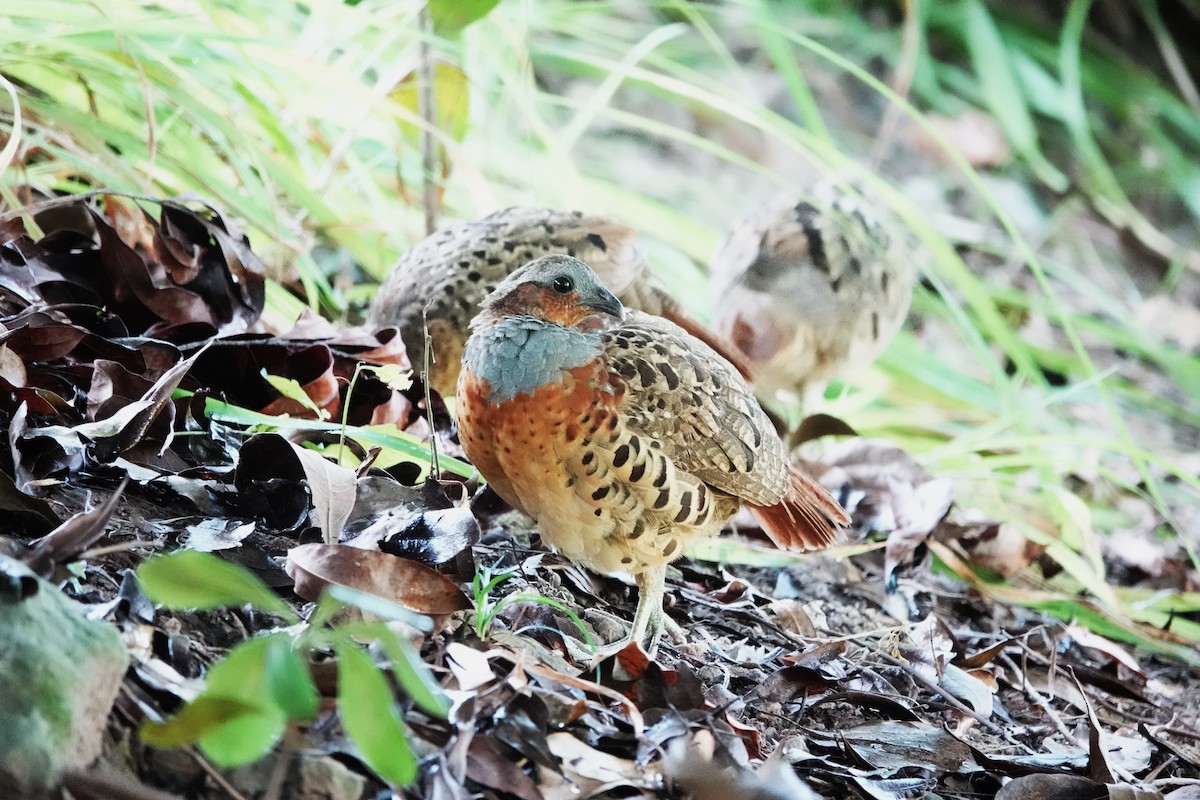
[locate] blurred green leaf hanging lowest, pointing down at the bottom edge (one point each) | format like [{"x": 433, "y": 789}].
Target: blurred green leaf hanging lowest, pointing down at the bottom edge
[{"x": 371, "y": 718}]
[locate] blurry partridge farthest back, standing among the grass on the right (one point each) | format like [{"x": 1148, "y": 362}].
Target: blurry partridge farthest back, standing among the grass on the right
[{"x": 809, "y": 291}]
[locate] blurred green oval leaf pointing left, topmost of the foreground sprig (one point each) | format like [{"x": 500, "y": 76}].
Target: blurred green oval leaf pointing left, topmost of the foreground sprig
[{"x": 189, "y": 580}]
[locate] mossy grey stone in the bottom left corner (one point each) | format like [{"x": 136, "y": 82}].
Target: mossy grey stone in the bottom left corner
[{"x": 59, "y": 676}]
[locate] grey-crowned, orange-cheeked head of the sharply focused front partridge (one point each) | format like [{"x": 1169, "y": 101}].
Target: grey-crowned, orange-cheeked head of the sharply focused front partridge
[{"x": 559, "y": 290}]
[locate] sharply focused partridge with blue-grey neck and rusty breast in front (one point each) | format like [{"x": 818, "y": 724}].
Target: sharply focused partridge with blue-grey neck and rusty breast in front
[{"x": 622, "y": 435}]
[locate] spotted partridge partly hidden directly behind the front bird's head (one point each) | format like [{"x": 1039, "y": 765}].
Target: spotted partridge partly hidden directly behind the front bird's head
[{"x": 440, "y": 284}]
